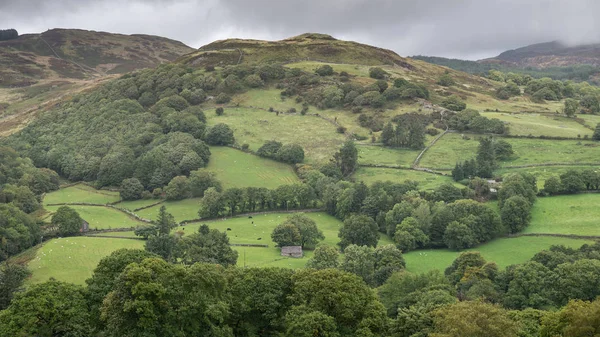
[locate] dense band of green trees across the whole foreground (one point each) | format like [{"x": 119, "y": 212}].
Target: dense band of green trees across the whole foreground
[{"x": 135, "y": 292}]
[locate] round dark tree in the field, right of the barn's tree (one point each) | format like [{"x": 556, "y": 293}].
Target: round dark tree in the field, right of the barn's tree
[{"x": 359, "y": 230}]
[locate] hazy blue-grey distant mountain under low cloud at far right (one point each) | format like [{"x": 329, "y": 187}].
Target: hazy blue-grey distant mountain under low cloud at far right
[{"x": 550, "y": 54}]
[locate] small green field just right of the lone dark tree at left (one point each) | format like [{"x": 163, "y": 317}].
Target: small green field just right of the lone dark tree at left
[{"x": 102, "y": 217}]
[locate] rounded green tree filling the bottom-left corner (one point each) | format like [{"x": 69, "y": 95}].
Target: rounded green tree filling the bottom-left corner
[{"x": 47, "y": 309}]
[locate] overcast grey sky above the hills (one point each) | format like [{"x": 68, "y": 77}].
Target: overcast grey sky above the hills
[{"x": 470, "y": 29}]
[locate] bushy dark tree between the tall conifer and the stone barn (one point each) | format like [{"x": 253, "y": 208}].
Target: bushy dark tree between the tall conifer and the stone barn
[{"x": 208, "y": 246}]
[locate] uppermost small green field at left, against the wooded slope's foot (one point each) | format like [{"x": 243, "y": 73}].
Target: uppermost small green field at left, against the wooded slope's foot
[{"x": 81, "y": 193}]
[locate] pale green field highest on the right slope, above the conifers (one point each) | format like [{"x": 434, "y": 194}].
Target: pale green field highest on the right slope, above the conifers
[{"x": 540, "y": 125}]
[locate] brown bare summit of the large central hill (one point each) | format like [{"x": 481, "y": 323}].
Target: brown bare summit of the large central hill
[{"x": 305, "y": 47}]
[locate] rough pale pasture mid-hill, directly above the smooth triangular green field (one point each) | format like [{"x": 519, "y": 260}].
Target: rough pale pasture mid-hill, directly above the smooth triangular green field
[{"x": 254, "y": 127}]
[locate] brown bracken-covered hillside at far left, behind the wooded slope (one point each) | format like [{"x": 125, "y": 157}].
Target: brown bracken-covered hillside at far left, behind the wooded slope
[{"x": 38, "y": 71}]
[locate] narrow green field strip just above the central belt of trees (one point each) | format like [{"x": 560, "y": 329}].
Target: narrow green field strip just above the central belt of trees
[{"x": 426, "y": 180}]
